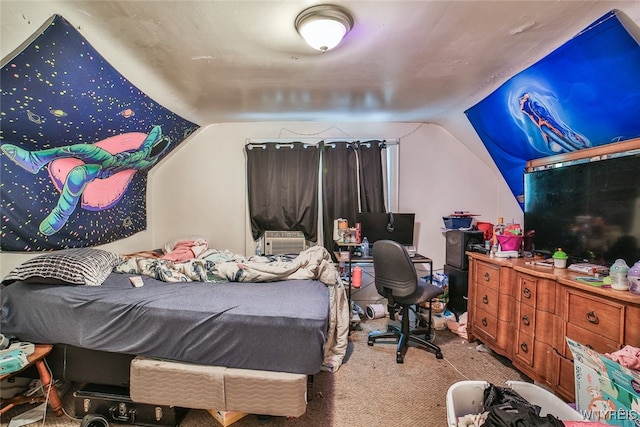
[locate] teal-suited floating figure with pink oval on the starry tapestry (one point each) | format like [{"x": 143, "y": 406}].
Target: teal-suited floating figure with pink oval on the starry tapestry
[{"x": 98, "y": 173}]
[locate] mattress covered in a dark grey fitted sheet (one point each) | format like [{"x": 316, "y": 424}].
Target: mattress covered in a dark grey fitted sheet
[{"x": 273, "y": 326}]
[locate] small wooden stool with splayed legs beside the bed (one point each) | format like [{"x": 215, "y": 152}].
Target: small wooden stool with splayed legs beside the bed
[{"x": 36, "y": 358}]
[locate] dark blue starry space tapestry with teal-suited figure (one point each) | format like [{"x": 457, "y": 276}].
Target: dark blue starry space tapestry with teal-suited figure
[{"x": 77, "y": 140}]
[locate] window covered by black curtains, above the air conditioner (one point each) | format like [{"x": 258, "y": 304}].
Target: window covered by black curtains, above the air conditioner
[{"x": 304, "y": 187}]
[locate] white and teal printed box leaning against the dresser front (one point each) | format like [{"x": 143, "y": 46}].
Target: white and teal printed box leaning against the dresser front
[{"x": 605, "y": 390}]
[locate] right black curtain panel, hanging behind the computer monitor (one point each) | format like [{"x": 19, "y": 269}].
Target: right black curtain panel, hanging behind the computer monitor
[{"x": 342, "y": 162}]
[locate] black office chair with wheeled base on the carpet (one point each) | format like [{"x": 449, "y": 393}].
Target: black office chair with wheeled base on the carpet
[{"x": 396, "y": 280}]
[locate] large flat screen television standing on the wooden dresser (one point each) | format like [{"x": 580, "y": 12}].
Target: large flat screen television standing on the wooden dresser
[{"x": 591, "y": 210}]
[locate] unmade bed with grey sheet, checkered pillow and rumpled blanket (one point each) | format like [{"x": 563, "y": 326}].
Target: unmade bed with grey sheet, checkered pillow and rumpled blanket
[{"x": 202, "y": 332}]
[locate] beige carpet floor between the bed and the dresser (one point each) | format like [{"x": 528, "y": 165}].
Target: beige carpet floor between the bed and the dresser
[{"x": 370, "y": 388}]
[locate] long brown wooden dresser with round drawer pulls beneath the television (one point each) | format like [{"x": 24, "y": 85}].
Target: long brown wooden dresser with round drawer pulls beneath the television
[{"x": 524, "y": 312}]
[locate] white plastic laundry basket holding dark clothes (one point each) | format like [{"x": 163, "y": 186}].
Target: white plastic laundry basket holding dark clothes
[{"x": 466, "y": 397}]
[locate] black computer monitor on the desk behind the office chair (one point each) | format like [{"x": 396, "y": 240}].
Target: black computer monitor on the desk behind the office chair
[{"x": 387, "y": 226}]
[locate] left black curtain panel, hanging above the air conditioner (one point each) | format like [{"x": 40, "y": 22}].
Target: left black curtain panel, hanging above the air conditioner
[{"x": 283, "y": 188}]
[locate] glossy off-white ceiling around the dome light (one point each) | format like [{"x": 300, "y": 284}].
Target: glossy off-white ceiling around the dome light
[{"x": 243, "y": 61}]
